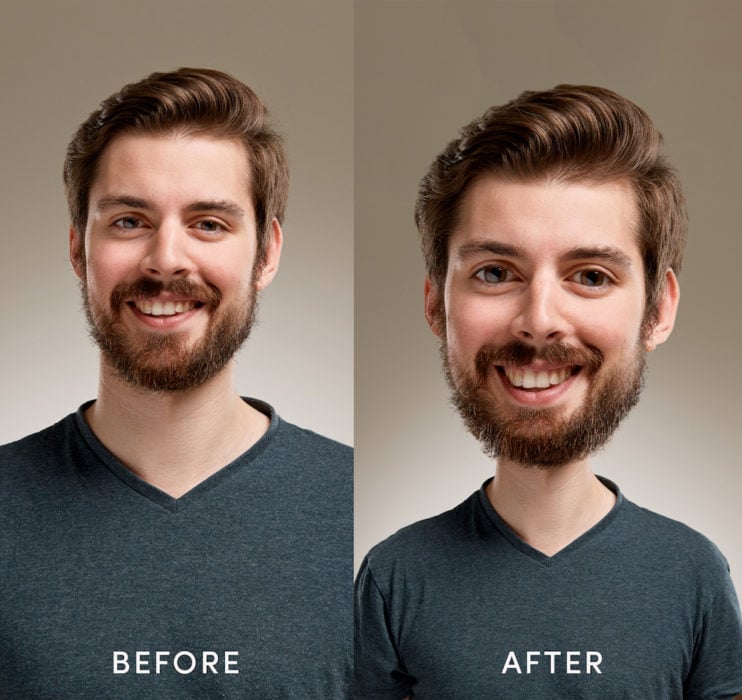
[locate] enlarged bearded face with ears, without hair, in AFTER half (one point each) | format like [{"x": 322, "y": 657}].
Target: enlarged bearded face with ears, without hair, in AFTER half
[{"x": 542, "y": 332}]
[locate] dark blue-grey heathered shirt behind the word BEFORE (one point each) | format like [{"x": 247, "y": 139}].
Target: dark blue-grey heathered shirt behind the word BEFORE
[{"x": 257, "y": 559}]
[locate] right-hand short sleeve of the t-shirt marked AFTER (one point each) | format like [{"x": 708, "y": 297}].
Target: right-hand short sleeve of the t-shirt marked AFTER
[{"x": 717, "y": 662}]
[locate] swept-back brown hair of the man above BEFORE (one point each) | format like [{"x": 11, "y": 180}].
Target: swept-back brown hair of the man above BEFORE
[{"x": 191, "y": 101}]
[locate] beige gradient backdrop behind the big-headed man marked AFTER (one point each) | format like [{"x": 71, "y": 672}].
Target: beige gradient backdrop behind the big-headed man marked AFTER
[{"x": 422, "y": 70}]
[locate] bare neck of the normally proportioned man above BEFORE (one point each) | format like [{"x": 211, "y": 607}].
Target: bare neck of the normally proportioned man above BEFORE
[{"x": 174, "y": 440}]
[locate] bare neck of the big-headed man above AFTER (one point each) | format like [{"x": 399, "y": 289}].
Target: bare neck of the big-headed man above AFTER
[{"x": 549, "y": 508}]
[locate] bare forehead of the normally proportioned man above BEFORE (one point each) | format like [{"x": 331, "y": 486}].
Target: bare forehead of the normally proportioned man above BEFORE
[{"x": 170, "y": 164}]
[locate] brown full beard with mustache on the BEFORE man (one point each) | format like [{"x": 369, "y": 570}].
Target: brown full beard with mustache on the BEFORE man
[{"x": 162, "y": 362}]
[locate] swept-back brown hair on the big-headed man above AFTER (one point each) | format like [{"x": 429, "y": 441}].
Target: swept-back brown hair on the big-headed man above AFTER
[{"x": 572, "y": 133}]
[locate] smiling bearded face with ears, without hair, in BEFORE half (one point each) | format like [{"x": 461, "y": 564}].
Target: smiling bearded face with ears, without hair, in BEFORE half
[{"x": 168, "y": 269}]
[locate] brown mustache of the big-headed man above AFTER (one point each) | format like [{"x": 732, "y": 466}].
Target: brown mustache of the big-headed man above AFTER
[{"x": 517, "y": 354}]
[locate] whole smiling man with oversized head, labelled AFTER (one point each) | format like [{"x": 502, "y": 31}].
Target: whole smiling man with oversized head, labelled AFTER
[{"x": 553, "y": 231}]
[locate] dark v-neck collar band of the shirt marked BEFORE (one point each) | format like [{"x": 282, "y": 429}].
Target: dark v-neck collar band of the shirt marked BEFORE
[{"x": 152, "y": 493}]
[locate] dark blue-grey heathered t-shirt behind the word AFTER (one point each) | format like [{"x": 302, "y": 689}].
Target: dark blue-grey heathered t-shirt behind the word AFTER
[{"x": 451, "y": 607}]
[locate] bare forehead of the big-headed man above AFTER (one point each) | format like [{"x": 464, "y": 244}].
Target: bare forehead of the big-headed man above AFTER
[{"x": 544, "y": 218}]
